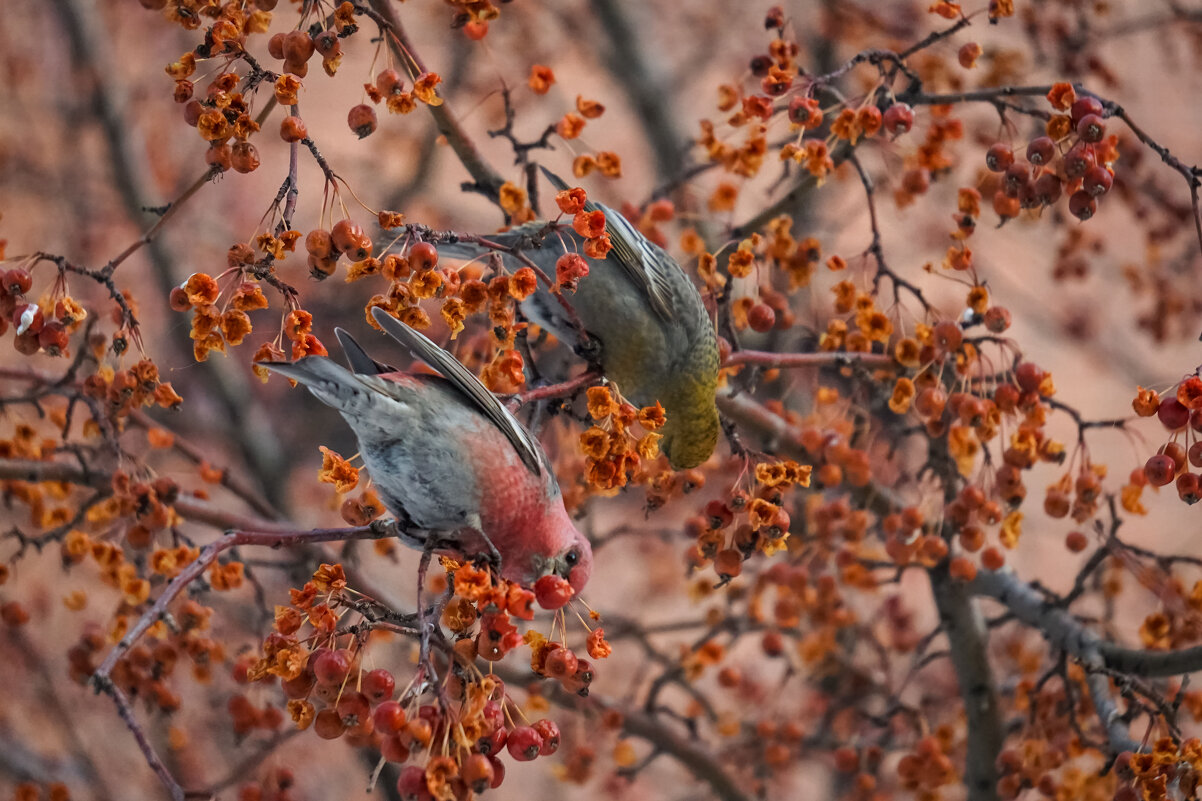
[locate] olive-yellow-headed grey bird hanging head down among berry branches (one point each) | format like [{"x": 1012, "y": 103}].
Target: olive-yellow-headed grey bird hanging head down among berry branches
[{"x": 658, "y": 342}]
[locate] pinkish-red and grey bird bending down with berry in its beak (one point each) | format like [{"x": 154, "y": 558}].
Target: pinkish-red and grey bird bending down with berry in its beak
[{"x": 450, "y": 461}]
